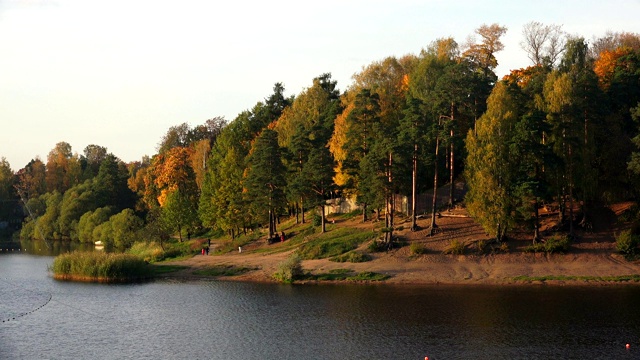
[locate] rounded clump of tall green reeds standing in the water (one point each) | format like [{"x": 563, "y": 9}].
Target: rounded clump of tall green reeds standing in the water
[{"x": 99, "y": 266}]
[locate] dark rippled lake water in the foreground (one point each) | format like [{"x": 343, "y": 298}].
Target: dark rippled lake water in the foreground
[{"x": 167, "y": 319}]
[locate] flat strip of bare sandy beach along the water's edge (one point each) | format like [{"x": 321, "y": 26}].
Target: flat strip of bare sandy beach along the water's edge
[{"x": 571, "y": 269}]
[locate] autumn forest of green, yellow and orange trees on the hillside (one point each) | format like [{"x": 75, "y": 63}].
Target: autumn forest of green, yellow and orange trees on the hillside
[{"x": 561, "y": 131}]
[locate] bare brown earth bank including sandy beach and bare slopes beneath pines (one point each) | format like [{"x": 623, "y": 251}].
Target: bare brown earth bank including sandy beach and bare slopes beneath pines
[{"x": 592, "y": 259}]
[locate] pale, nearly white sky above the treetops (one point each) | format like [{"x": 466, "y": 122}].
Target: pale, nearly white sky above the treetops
[{"x": 119, "y": 74}]
